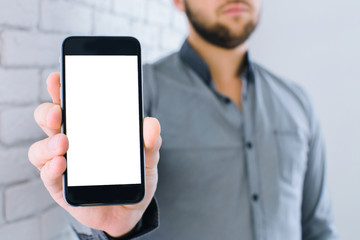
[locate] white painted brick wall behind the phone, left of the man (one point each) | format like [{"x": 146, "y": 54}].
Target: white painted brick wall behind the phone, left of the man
[{"x": 31, "y": 33}]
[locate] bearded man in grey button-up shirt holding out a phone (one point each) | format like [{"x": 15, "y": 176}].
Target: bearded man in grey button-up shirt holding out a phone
[{"x": 242, "y": 155}]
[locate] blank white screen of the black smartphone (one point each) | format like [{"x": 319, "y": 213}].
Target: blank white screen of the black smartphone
[{"x": 102, "y": 120}]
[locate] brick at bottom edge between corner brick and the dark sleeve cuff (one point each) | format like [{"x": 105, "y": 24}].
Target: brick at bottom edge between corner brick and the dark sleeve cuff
[{"x": 54, "y": 223}]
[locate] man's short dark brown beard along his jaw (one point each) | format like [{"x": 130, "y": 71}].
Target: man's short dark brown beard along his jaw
[{"x": 219, "y": 34}]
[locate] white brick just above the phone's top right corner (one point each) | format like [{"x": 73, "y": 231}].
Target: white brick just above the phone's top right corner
[{"x": 147, "y": 34}]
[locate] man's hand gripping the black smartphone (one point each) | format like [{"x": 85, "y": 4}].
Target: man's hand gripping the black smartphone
[{"x": 47, "y": 156}]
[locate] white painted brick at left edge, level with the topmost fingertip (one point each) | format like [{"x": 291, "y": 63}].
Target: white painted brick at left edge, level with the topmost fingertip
[{"x": 19, "y": 86}]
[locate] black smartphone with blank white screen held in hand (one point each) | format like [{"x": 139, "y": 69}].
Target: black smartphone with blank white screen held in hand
[{"x": 101, "y": 97}]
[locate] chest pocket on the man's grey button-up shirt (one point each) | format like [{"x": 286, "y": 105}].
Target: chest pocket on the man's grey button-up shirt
[{"x": 292, "y": 153}]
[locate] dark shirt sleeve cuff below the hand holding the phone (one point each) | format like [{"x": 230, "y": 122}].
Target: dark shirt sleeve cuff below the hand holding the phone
[{"x": 148, "y": 223}]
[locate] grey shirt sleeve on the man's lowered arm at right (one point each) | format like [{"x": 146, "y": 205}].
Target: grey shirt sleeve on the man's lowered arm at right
[{"x": 317, "y": 216}]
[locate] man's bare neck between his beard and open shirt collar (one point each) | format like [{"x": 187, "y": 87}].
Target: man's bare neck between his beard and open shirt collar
[{"x": 224, "y": 64}]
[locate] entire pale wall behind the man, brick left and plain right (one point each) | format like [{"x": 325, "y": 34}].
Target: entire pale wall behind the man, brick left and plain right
[{"x": 315, "y": 43}]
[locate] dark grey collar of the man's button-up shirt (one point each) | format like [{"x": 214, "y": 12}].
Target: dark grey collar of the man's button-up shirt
[{"x": 191, "y": 58}]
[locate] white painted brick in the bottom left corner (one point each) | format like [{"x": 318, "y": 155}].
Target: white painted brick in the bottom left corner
[{"x": 28, "y": 229}]
